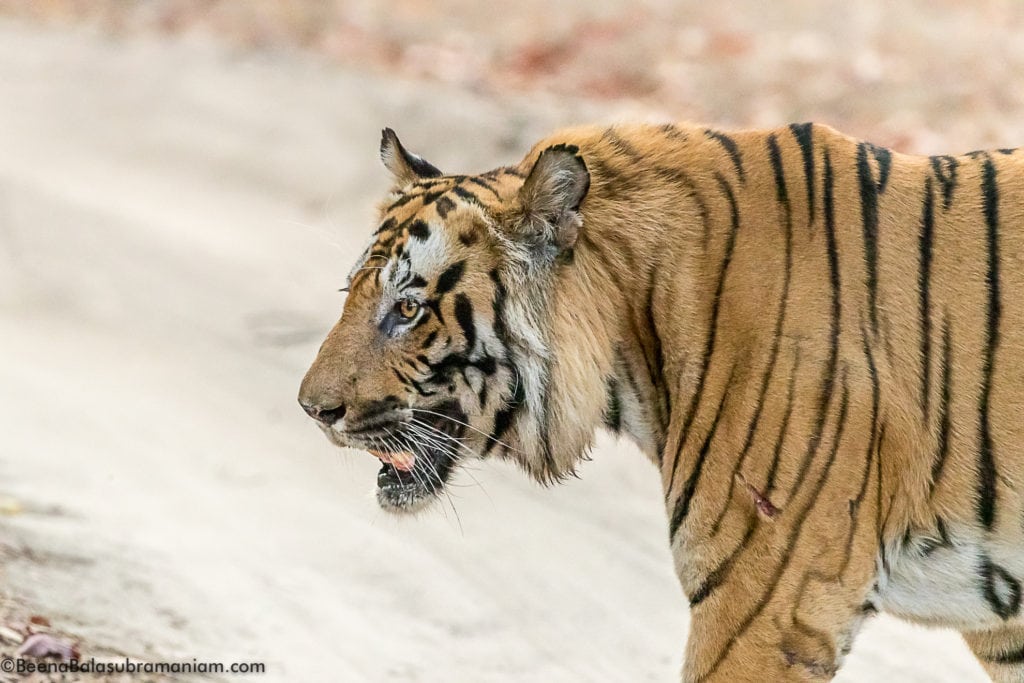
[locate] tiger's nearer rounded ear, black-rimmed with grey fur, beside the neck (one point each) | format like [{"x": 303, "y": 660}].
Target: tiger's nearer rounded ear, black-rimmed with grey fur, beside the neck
[{"x": 551, "y": 196}]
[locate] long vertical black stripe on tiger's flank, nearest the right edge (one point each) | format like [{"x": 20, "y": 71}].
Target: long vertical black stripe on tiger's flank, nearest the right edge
[{"x": 987, "y": 464}]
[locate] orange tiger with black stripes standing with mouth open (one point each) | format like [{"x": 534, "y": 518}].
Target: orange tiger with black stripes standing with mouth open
[{"x": 819, "y": 343}]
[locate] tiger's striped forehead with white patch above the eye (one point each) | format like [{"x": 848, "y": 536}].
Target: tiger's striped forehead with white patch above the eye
[{"x": 412, "y": 241}]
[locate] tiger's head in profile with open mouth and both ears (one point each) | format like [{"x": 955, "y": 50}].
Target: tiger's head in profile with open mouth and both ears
[{"x": 444, "y": 349}]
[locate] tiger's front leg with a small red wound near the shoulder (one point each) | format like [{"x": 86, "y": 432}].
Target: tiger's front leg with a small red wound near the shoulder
[{"x": 789, "y": 588}]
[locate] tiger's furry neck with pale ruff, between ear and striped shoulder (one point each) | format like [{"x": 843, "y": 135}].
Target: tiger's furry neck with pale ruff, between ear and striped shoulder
[{"x": 658, "y": 227}]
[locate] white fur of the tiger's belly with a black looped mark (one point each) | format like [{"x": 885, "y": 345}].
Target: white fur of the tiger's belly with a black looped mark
[{"x": 953, "y": 580}]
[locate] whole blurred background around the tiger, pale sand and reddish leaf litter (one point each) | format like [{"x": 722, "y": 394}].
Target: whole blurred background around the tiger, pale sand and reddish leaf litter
[{"x": 184, "y": 186}]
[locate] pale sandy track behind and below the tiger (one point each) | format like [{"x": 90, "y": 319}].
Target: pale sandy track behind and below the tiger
[{"x": 175, "y": 220}]
